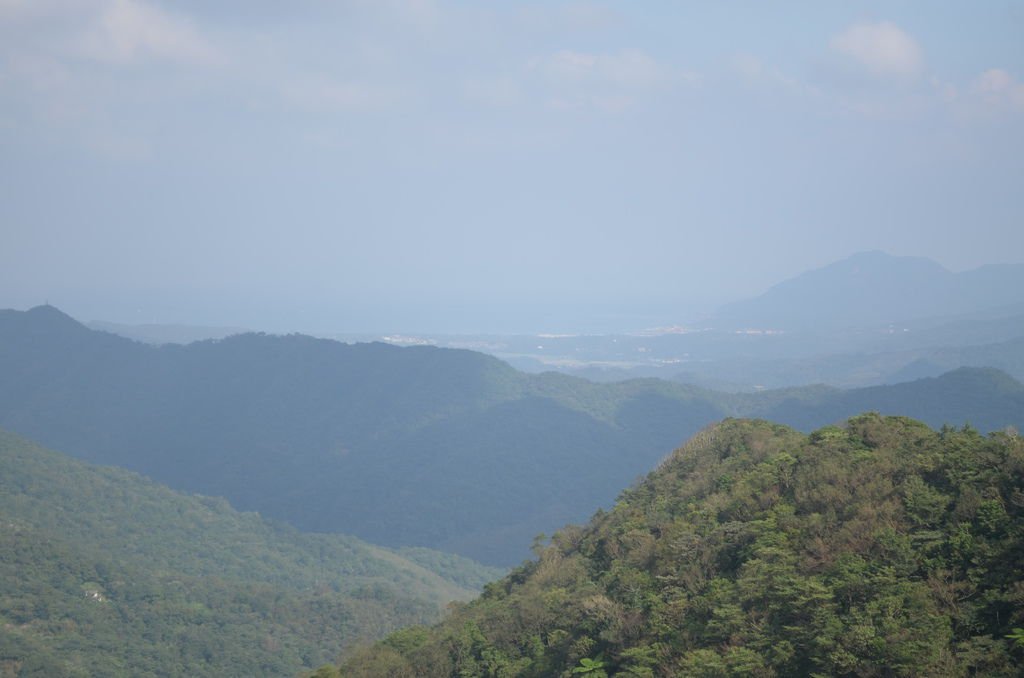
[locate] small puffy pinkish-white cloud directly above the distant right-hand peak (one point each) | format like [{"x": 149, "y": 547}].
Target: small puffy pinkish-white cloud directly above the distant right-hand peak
[{"x": 882, "y": 49}]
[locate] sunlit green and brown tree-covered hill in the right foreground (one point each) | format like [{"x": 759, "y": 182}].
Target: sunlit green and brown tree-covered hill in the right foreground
[{"x": 880, "y": 548}]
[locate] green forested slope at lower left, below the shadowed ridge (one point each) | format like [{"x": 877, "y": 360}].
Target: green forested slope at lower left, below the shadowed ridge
[{"x": 106, "y": 573}]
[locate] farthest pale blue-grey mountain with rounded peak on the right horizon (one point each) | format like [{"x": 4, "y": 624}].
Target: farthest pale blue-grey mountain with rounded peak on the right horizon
[{"x": 873, "y": 288}]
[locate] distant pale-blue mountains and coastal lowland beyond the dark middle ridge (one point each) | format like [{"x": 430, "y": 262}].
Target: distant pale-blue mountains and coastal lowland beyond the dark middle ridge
[{"x": 869, "y": 320}]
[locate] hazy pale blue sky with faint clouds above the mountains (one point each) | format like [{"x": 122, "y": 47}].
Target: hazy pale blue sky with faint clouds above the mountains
[{"x": 410, "y": 165}]
